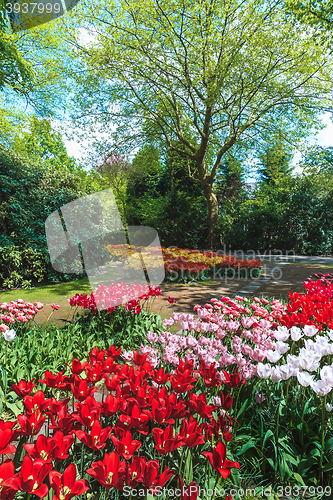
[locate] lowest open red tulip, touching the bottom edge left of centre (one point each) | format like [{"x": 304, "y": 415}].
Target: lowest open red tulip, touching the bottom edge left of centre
[{"x": 65, "y": 485}]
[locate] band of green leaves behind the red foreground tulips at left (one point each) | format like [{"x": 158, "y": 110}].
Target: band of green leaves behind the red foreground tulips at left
[{"x": 36, "y": 349}]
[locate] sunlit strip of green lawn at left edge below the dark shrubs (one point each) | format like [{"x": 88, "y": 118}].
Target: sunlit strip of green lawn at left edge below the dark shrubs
[{"x": 48, "y": 294}]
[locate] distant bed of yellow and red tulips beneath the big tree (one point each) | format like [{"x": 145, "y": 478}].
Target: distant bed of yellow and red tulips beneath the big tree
[{"x": 184, "y": 264}]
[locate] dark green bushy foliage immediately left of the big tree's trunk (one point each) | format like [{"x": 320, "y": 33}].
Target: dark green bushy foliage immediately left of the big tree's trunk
[{"x": 168, "y": 200}]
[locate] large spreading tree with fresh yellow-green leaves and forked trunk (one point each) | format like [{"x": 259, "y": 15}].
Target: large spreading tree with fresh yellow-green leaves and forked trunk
[{"x": 206, "y": 74}]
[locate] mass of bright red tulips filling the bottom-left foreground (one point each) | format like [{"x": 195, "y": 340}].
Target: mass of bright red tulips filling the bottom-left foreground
[{"x": 153, "y": 432}]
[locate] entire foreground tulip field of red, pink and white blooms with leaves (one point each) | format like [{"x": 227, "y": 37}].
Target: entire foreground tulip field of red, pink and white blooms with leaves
[{"x": 233, "y": 401}]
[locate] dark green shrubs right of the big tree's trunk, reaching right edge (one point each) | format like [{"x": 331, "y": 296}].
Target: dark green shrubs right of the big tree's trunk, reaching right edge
[{"x": 294, "y": 214}]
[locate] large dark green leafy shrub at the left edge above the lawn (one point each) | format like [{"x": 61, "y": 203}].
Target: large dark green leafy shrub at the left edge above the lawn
[{"x": 30, "y": 192}]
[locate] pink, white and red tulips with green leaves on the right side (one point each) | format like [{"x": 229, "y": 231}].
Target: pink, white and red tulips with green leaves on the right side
[{"x": 297, "y": 441}]
